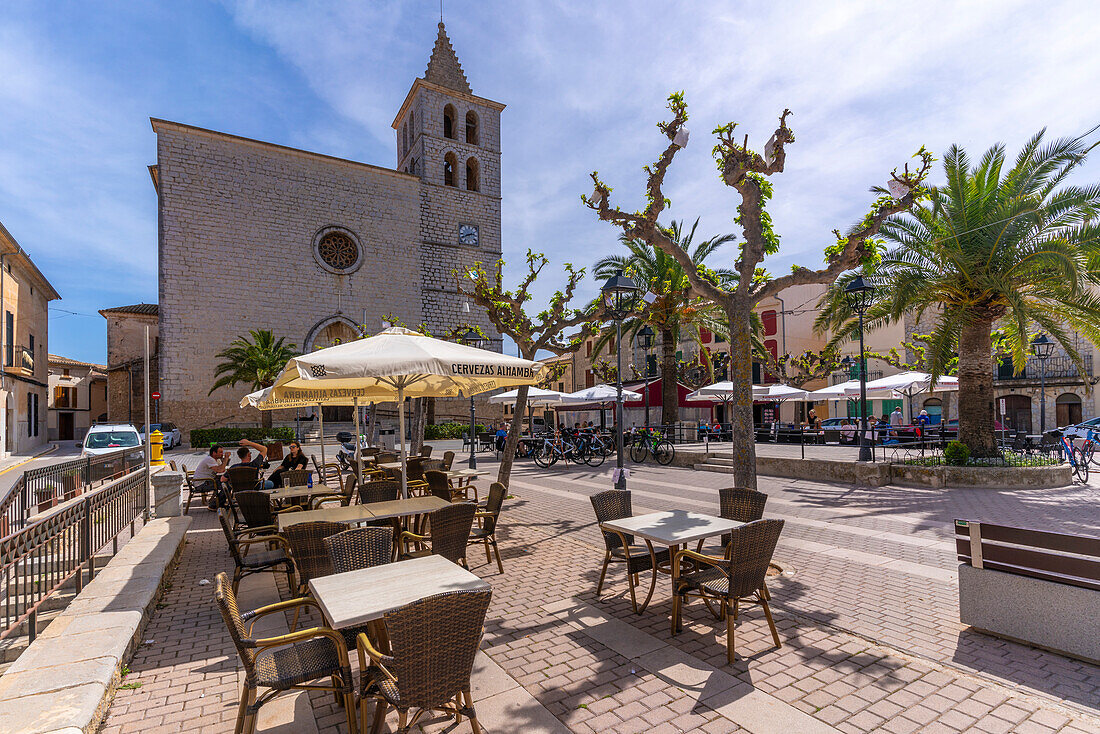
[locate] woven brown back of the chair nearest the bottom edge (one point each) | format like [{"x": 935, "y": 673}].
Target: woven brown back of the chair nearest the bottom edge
[{"x": 434, "y": 642}]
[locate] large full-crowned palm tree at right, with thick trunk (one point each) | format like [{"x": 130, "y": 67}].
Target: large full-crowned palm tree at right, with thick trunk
[{"x": 991, "y": 249}]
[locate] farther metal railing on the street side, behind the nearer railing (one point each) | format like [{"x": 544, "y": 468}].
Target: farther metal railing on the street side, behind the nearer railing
[{"x": 43, "y": 488}]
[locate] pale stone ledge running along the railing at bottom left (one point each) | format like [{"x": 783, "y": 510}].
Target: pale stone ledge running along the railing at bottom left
[{"x": 64, "y": 682}]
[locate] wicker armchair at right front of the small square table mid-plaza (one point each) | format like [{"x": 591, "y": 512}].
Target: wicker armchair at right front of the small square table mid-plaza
[{"x": 738, "y": 576}]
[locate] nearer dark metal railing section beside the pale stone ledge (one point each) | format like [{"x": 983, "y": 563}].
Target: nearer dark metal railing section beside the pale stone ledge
[{"x": 42, "y": 558}]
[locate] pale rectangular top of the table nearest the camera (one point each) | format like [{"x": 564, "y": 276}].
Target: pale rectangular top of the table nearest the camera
[{"x": 356, "y": 598}]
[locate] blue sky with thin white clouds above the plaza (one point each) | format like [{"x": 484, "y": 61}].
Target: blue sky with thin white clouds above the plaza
[{"x": 870, "y": 83}]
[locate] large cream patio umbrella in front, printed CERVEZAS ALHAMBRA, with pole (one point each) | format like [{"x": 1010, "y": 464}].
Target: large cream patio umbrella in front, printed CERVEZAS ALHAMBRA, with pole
[{"x": 399, "y": 364}]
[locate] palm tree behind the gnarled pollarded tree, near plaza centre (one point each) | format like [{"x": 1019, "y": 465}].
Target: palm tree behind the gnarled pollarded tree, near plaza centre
[{"x": 675, "y": 312}]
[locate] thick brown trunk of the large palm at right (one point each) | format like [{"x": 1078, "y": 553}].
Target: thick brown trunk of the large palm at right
[{"x": 976, "y": 390}]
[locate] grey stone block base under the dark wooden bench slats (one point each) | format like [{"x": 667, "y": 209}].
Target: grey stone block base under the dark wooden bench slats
[{"x": 1055, "y": 617}]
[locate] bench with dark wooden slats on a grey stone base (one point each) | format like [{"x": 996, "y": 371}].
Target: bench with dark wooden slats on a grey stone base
[{"x": 1037, "y": 587}]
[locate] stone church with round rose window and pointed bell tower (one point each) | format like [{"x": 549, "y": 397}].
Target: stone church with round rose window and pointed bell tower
[{"x": 320, "y": 249}]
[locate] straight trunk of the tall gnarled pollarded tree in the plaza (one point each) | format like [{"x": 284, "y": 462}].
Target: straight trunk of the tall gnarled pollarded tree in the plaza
[{"x": 741, "y": 407}]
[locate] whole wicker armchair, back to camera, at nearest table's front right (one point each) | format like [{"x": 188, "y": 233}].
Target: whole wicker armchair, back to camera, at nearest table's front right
[{"x": 434, "y": 642}]
